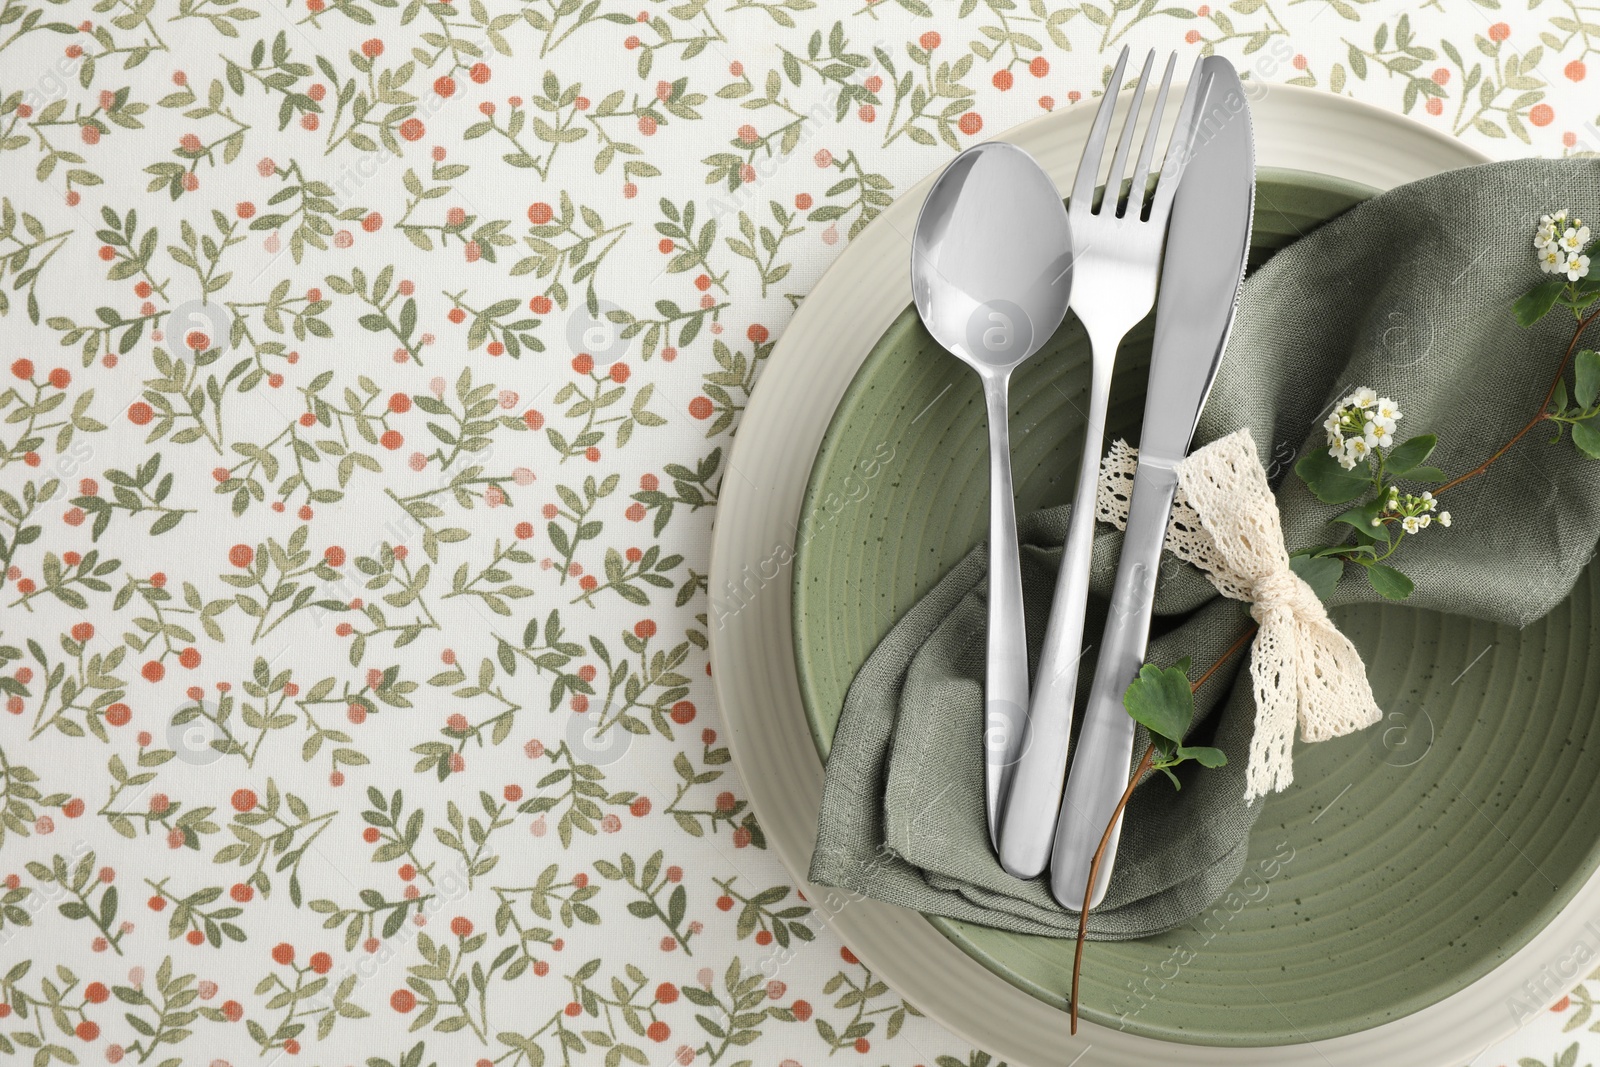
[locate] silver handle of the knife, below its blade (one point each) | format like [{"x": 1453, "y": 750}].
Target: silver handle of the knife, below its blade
[{"x": 1100, "y": 770}]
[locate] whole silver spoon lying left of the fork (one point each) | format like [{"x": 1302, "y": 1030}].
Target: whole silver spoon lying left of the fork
[{"x": 991, "y": 271}]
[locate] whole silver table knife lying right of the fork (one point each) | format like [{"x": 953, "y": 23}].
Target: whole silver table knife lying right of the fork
[{"x": 1207, "y": 247}]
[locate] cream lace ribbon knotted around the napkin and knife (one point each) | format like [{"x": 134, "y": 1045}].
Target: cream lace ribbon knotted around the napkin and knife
[{"x": 1226, "y": 522}]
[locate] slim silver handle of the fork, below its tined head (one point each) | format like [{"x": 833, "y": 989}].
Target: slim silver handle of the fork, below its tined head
[{"x": 1028, "y": 823}]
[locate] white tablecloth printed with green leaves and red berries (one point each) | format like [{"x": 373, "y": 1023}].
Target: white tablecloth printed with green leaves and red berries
[{"x": 369, "y": 377}]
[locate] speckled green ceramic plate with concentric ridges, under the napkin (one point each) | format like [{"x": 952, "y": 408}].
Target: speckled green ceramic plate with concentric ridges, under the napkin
[{"x": 1406, "y": 863}]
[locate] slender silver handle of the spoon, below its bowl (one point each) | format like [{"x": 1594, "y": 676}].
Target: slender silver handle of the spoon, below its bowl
[{"x": 1006, "y": 689}]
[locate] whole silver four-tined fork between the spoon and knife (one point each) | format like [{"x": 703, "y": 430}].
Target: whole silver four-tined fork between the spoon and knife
[{"x": 1118, "y": 258}]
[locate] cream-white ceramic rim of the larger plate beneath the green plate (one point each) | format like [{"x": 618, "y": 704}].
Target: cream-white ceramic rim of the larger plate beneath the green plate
[{"x": 753, "y": 636}]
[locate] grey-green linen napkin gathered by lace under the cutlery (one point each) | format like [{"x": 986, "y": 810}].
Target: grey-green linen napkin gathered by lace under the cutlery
[{"x": 1409, "y": 294}]
